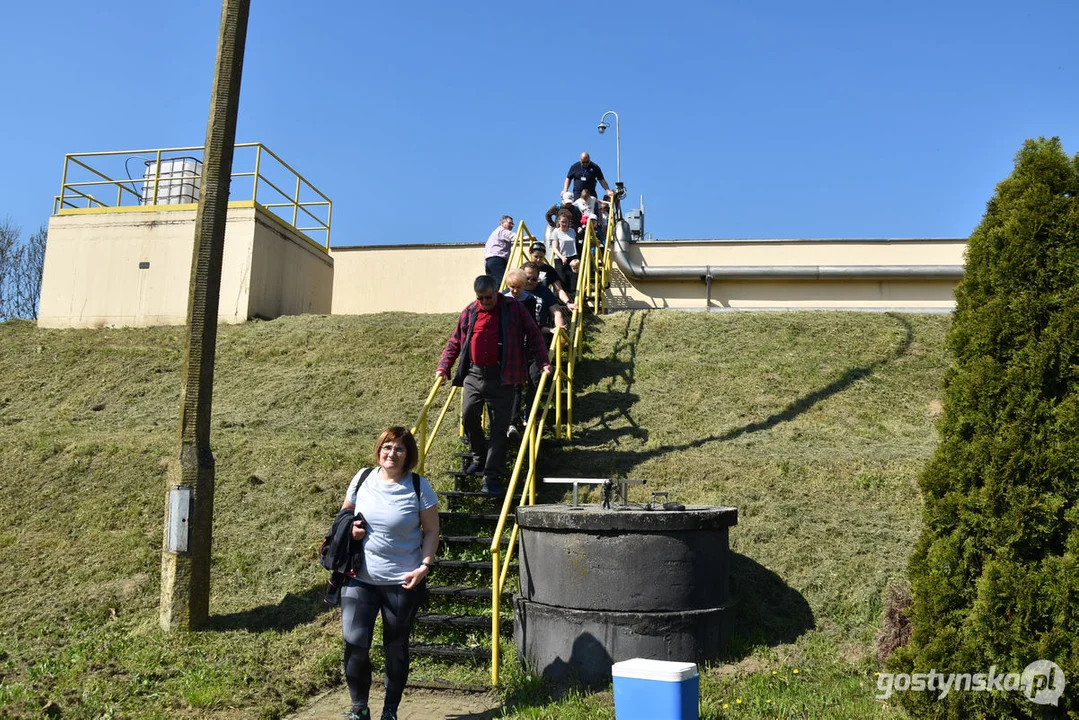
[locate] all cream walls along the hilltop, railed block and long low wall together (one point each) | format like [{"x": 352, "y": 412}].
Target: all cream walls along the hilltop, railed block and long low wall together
[{"x": 93, "y": 277}]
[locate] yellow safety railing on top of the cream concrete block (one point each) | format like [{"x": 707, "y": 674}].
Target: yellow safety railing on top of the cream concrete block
[{"x": 276, "y": 186}]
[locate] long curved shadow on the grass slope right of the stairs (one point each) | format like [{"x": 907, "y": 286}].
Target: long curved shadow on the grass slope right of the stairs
[{"x": 614, "y": 464}]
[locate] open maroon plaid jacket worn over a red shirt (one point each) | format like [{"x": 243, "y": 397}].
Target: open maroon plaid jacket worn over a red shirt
[{"x": 516, "y": 329}]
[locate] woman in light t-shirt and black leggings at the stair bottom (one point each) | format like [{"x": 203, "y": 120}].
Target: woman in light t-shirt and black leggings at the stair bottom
[{"x": 398, "y": 522}]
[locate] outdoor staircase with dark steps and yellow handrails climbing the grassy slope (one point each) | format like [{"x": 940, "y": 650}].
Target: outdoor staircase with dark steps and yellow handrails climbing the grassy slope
[{"x": 463, "y": 620}]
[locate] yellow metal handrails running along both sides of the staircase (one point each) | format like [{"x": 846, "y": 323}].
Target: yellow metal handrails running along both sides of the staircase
[{"x": 593, "y": 280}]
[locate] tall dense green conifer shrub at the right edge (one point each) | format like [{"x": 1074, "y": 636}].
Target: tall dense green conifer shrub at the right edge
[{"x": 995, "y": 575}]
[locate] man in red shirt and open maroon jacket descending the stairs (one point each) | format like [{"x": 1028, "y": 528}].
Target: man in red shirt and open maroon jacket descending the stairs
[{"x": 491, "y": 336}]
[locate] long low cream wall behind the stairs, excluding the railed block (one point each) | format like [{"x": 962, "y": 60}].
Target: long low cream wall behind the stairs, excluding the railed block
[{"x": 439, "y": 278}]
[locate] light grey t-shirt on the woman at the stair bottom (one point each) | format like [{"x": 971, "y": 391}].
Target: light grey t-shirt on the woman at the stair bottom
[{"x": 392, "y": 519}]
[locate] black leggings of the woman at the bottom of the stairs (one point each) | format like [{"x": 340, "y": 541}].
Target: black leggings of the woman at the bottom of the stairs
[{"x": 361, "y": 604}]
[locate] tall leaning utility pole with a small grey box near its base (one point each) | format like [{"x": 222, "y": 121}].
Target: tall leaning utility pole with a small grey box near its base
[{"x": 189, "y": 509}]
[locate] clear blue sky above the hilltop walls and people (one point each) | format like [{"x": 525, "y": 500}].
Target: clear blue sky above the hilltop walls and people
[{"x": 427, "y": 121}]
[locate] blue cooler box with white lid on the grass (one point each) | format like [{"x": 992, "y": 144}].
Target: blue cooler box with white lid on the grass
[{"x": 655, "y": 690}]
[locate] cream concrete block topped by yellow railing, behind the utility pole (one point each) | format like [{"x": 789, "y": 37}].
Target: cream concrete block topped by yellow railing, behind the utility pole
[{"x": 134, "y": 268}]
